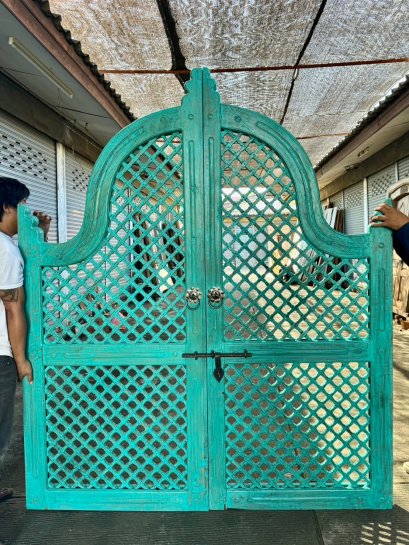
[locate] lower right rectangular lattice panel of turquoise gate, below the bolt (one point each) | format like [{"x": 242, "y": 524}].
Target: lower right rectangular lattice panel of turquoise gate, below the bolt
[{"x": 297, "y": 426}]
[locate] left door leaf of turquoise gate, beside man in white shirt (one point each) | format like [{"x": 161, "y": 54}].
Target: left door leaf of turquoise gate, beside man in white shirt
[{"x": 116, "y": 418}]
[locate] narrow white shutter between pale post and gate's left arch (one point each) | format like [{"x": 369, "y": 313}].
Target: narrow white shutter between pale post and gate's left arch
[{"x": 77, "y": 172}]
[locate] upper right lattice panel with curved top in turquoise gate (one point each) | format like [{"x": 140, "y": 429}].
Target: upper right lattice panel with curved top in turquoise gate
[{"x": 278, "y": 285}]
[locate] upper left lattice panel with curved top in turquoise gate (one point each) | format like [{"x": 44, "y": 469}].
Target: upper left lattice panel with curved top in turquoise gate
[{"x": 133, "y": 288}]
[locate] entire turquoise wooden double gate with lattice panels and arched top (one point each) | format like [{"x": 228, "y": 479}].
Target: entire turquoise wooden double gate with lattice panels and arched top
[{"x": 207, "y": 341}]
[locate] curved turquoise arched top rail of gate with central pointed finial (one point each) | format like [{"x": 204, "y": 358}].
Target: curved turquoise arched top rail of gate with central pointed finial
[{"x": 201, "y": 110}]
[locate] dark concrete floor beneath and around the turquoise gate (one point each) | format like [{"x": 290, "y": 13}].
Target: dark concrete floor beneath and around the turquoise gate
[{"x": 21, "y": 527}]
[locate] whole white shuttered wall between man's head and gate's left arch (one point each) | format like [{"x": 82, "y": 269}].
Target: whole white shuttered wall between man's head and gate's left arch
[{"x": 56, "y": 176}]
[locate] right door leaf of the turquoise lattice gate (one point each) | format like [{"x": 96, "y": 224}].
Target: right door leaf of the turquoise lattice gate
[{"x": 300, "y": 411}]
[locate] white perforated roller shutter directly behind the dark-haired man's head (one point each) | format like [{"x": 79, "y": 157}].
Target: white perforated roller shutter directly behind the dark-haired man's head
[{"x": 29, "y": 156}]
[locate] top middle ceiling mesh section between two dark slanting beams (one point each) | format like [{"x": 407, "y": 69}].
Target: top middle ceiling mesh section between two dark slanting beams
[{"x": 238, "y": 33}]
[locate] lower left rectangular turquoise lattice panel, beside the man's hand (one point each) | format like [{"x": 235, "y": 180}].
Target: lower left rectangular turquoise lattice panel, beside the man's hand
[{"x": 116, "y": 427}]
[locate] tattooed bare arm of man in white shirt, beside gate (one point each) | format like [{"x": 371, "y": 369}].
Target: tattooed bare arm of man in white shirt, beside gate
[{"x": 14, "y": 300}]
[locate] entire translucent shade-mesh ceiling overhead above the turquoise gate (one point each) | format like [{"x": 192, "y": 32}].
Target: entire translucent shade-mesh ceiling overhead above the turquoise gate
[{"x": 241, "y": 34}]
